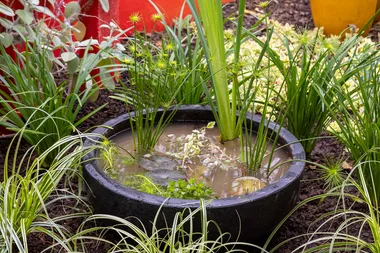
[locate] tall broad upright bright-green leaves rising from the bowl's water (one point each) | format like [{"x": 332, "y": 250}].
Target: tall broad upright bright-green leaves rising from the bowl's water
[{"x": 211, "y": 16}]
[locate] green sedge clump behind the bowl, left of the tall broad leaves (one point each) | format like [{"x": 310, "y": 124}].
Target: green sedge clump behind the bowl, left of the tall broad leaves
[{"x": 186, "y": 56}]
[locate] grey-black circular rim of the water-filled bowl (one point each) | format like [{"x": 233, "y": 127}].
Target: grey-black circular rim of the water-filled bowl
[{"x": 294, "y": 172}]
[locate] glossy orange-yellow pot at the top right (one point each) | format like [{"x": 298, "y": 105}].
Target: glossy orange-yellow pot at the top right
[{"x": 336, "y": 15}]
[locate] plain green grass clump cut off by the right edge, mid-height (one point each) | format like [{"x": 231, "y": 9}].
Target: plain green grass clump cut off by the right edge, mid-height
[{"x": 359, "y": 123}]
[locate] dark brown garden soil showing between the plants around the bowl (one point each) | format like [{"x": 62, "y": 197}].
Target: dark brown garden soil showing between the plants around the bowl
[{"x": 296, "y": 12}]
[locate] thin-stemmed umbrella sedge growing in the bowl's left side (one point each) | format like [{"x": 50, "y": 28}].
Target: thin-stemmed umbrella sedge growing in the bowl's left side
[{"x": 151, "y": 91}]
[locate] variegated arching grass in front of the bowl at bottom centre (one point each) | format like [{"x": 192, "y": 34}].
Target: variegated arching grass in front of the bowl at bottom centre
[{"x": 178, "y": 236}]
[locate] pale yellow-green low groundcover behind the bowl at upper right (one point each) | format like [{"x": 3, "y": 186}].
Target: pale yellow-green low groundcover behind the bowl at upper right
[{"x": 250, "y": 51}]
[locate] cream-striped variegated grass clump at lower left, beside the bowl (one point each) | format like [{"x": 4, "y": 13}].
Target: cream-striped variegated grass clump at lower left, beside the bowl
[{"x": 27, "y": 190}]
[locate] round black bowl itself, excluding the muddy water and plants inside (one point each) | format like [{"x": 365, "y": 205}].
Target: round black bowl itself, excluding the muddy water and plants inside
[{"x": 253, "y": 216}]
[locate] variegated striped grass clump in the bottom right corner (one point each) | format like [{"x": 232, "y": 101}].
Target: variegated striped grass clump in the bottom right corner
[{"x": 341, "y": 240}]
